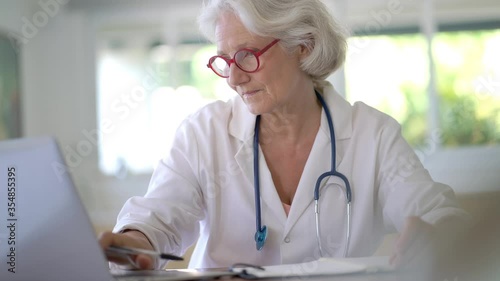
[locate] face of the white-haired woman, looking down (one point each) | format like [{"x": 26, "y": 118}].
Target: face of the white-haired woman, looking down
[{"x": 279, "y": 80}]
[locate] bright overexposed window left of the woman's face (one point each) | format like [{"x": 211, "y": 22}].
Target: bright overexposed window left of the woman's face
[{"x": 145, "y": 89}]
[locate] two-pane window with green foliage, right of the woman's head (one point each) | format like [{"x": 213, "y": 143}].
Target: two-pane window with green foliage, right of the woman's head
[{"x": 391, "y": 73}]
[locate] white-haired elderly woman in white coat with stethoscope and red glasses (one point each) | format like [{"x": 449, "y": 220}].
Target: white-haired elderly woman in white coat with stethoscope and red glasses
[{"x": 287, "y": 171}]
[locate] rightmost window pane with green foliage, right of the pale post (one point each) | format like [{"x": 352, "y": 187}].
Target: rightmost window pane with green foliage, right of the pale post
[{"x": 468, "y": 69}]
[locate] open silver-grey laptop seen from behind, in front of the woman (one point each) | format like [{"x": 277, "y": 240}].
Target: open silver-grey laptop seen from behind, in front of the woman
[{"x": 45, "y": 232}]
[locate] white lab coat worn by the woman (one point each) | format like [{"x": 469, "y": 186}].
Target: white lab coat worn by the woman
[{"x": 203, "y": 190}]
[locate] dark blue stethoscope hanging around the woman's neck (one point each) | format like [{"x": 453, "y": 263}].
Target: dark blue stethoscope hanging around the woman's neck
[{"x": 261, "y": 231}]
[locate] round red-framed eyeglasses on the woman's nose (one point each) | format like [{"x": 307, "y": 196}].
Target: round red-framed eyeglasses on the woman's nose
[{"x": 245, "y": 59}]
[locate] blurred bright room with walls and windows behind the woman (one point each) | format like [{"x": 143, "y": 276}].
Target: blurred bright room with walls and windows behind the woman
[{"x": 112, "y": 79}]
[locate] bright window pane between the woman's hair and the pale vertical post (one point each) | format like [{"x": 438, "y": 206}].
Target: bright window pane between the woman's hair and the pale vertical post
[{"x": 377, "y": 73}]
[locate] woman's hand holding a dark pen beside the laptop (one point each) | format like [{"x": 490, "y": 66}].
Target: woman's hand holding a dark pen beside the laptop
[{"x": 132, "y": 239}]
